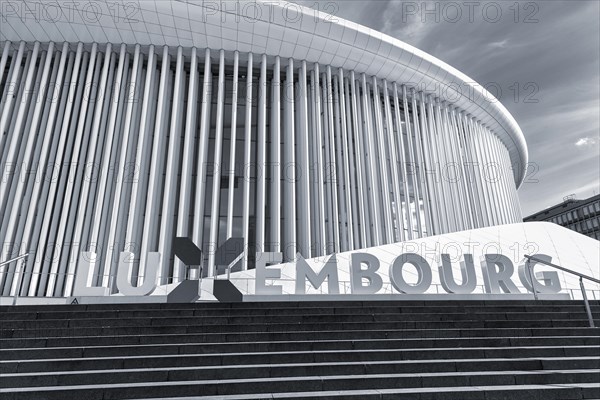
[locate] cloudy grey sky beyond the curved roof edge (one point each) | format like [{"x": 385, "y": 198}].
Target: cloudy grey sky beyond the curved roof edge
[{"x": 543, "y": 55}]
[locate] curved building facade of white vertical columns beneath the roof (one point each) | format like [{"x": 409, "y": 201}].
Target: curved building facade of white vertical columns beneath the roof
[{"x": 112, "y": 147}]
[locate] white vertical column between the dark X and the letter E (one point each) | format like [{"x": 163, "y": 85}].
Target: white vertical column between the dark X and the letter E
[{"x": 247, "y": 162}]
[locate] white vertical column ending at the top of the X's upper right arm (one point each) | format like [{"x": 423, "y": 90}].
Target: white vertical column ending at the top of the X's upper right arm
[{"x": 232, "y": 145}]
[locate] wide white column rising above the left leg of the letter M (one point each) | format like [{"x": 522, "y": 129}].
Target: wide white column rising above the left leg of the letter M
[{"x": 303, "y": 190}]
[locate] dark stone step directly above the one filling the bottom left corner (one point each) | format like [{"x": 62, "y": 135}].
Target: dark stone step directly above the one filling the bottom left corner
[{"x": 89, "y": 377}]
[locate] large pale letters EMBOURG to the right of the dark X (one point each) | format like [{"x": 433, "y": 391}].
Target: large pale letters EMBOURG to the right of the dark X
[{"x": 497, "y": 272}]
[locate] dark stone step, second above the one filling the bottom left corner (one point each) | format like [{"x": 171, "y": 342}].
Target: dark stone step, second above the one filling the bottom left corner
[{"x": 181, "y": 360}]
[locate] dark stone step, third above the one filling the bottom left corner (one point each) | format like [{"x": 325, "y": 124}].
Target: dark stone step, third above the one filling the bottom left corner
[{"x": 80, "y": 351}]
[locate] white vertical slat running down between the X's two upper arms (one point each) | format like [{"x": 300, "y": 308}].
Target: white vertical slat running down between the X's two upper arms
[{"x": 215, "y": 205}]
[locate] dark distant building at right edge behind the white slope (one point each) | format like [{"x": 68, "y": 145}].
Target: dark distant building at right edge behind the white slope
[{"x": 582, "y": 216}]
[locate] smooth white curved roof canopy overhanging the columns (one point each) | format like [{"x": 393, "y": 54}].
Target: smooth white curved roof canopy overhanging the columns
[{"x": 273, "y": 28}]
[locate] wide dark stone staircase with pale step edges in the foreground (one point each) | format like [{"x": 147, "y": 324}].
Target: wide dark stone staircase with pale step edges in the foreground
[{"x": 359, "y": 350}]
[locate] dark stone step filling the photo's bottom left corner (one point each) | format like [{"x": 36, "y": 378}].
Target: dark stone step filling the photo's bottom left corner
[{"x": 307, "y": 383}]
